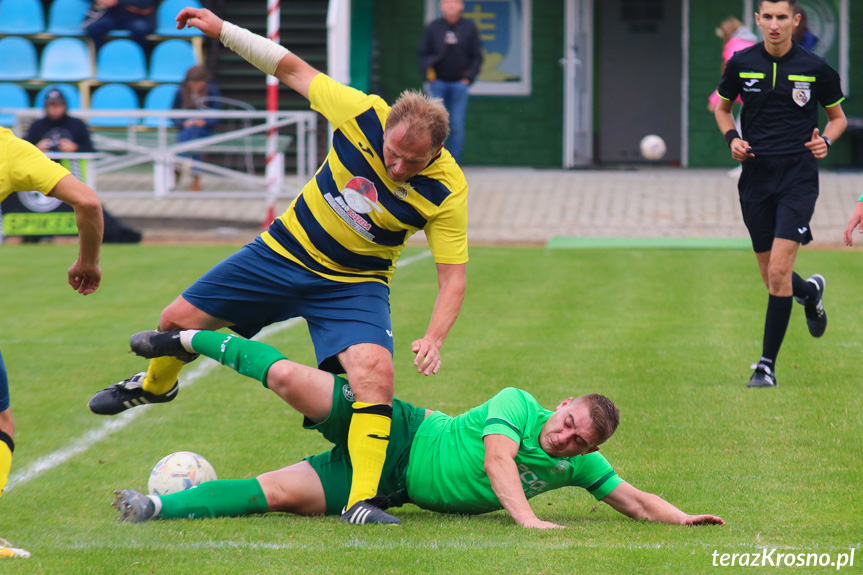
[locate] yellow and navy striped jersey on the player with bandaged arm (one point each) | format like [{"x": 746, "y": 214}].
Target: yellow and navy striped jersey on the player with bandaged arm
[{"x": 350, "y": 222}]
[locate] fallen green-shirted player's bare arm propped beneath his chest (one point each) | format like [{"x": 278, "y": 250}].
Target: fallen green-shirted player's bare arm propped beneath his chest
[{"x": 500, "y": 452}]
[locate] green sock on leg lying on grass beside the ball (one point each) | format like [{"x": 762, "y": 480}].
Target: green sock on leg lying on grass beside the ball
[{"x": 226, "y": 498}]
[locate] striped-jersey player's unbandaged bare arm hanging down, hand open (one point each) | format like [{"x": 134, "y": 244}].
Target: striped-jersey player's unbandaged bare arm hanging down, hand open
[{"x": 452, "y": 279}]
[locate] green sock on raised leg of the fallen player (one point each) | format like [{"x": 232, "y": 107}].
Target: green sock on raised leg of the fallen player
[{"x": 250, "y": 358}]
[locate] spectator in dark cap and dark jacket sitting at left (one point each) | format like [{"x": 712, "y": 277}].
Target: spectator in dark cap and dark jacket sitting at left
[{"x": 58, "y": 131}]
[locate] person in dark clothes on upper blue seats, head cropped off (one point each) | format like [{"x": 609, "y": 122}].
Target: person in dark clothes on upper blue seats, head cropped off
[{"x": 136, "y": 16}]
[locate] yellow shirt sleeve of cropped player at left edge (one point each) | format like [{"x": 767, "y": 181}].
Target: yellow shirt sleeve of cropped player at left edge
[{"x": 23, "y": 167}]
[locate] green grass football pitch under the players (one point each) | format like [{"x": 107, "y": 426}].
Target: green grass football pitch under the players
[{"x": 667, "y": 334}]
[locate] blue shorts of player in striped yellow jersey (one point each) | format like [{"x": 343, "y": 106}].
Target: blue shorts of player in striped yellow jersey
[{"x": 256, "y": 287}]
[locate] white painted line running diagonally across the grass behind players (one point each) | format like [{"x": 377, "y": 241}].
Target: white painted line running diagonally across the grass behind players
[{"x": 120, "y": 421}]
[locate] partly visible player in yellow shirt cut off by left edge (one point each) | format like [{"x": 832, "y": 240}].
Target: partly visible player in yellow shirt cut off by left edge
[{"x": 24, "y": 168}]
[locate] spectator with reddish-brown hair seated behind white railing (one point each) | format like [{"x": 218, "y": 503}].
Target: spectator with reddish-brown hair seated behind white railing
[{"x": 191, "y": 96}]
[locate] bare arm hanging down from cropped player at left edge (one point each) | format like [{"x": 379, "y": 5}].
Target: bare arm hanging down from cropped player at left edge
[{"x": 85, "y": 275}]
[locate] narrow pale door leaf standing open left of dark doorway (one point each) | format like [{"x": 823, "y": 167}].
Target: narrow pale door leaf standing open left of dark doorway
[{"x": 577, "y": 64}]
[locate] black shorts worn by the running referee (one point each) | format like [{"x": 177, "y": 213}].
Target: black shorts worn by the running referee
[{"x": 777, "y": 197}]
